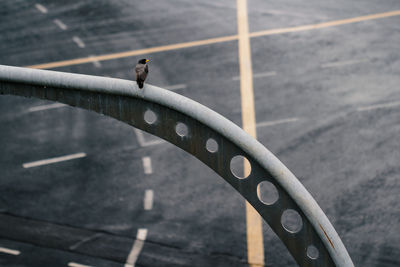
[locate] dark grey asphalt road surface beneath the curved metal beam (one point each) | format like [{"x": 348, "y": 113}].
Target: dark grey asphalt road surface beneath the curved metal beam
[{"x": 326, "y": 101}]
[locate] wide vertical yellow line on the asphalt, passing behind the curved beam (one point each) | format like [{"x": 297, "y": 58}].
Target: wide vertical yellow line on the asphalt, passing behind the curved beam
[{"x": 255, "y": 243}]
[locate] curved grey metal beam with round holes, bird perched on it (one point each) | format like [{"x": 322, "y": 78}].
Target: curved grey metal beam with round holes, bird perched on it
[{"x": 208, "y": 136}]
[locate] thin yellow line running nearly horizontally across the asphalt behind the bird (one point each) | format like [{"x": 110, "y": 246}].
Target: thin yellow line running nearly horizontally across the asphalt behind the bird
[{"x": 229, "y": 38}]
